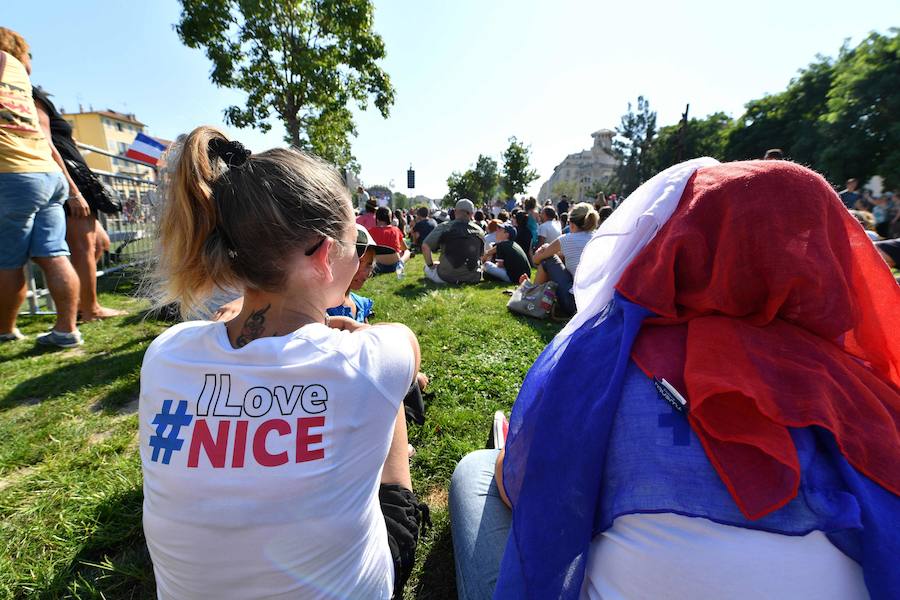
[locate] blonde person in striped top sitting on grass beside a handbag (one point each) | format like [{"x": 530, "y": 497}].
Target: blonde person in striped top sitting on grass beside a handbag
[{"x": 559, "y": 260}]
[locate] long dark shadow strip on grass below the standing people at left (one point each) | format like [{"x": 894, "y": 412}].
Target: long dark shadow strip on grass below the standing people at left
[{"x": 105, "y": 367}]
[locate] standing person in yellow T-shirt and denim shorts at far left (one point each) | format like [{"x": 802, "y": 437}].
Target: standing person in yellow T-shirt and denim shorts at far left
[{"x": 33, "y": 189}]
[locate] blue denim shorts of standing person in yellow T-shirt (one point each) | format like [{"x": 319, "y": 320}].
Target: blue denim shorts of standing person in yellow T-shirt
[{"x": 32, "y": 221}]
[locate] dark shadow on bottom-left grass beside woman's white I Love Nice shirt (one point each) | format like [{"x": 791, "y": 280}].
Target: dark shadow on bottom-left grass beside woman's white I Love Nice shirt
[{"x": 113, "y": 561}]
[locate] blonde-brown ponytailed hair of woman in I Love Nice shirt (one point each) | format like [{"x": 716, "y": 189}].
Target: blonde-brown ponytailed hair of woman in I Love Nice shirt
[{"x": 233, "y": 226}]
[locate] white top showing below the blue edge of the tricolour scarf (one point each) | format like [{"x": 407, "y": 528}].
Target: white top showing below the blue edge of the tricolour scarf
[{"x": 673, "y": 557}]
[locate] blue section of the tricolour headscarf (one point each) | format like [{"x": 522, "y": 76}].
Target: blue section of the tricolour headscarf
[{"x": 590, "y": 439}]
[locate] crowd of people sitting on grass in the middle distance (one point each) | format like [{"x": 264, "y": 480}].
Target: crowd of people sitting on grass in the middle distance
[{"x": 515, "y": 241}]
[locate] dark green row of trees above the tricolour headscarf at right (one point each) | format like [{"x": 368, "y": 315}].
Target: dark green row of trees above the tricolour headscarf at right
[{"x": 839, "y": 116}]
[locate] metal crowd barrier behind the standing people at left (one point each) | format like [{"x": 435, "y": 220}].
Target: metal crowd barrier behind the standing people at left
[{"x": 130, "y": 232}]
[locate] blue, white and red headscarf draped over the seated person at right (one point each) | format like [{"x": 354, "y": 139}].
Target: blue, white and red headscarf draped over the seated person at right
[{"x": 765, "y": 304}]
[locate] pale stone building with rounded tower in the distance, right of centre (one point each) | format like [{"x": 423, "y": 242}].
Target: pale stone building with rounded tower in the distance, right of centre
[{"x": 582, "y": 169}]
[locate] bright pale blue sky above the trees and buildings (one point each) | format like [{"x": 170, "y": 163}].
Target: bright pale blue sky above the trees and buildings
[{"x": 468, "y": 73}]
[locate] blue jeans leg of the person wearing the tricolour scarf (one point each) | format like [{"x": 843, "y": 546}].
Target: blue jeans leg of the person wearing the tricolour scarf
[{"x": 480, "y": 522}]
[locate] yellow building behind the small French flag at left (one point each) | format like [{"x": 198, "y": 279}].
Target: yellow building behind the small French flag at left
[{"x": 111, "y": 131}]
